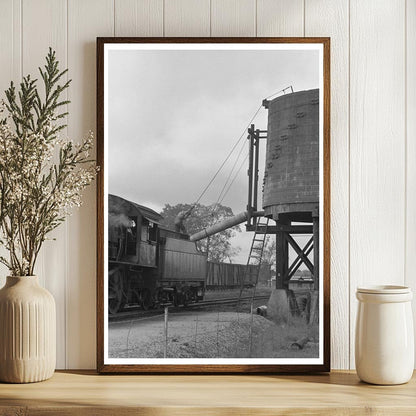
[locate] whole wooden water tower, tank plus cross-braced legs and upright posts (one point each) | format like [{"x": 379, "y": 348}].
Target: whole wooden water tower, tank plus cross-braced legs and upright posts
[{"x": 291, "y": 180}]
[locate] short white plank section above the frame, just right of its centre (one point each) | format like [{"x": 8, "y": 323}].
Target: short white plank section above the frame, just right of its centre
[{"x": 233, "y": 18}]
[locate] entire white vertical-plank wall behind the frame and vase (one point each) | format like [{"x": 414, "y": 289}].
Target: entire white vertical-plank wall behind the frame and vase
[{"x": 373, "y": 131}]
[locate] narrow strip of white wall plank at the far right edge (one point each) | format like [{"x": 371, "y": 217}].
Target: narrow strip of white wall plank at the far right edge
[{"x": 410, "y": 279}]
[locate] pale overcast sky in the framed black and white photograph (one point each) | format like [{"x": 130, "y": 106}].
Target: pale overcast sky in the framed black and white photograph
[{"x": 175, "y": 115}]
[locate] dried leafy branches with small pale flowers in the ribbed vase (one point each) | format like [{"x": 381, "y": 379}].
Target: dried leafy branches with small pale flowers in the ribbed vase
[{"x": 41, "y": 176}]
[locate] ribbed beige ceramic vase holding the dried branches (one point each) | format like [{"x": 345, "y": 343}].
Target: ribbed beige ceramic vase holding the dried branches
[{"x": 27, "y": 331}]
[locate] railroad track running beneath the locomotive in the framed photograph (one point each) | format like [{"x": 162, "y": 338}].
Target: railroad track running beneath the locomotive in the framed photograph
[{"x": 137, "y": 313}]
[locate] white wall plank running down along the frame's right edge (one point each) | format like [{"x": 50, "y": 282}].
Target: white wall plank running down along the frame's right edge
[{"x": 330, "y": 18}]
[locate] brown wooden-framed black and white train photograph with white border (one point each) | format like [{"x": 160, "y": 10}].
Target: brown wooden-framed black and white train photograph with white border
[{"x": 213, "y": 205}]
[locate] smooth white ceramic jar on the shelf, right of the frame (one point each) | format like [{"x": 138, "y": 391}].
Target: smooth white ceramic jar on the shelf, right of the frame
[{"x": 384, "y": 340}]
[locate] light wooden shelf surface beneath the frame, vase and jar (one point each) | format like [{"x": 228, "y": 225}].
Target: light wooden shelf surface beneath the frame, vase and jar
[{"x": 86, "y": 393}]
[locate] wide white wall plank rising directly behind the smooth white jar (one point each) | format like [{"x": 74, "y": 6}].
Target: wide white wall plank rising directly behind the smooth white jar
[{"x": 377, "y": 152}]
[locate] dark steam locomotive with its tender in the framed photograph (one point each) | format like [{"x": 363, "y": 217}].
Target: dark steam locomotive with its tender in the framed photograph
[{"x": 149, "y": 264}]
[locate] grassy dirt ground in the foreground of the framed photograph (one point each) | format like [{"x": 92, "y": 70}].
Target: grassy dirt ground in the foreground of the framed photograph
[{"x": 202, "y": 334}]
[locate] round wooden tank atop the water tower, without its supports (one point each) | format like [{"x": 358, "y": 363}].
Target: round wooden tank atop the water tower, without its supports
[{"x": 291, "y": 179}]
